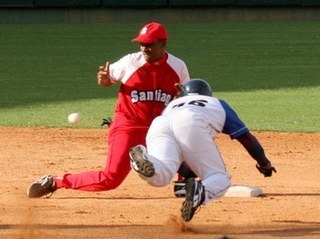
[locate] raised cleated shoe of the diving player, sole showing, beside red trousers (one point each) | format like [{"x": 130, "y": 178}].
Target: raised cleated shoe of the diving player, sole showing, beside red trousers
[{"x": 140, "y": 162}]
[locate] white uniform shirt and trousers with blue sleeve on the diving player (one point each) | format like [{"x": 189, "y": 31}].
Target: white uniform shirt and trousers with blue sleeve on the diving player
[{"x": 185, "y": 132}]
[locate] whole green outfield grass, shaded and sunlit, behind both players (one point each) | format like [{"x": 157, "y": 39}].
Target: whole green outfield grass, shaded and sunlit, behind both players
[{"x": 269, "y": 72}]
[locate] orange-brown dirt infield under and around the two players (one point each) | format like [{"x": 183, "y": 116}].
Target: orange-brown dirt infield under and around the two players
[{"x": 289, "y": 208}]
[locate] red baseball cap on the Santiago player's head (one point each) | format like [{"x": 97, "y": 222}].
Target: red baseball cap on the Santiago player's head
[{"x": 151, "y": 32}]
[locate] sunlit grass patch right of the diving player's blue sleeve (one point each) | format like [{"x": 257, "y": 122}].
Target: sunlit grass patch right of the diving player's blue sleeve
[{"x": 285, "y": 110}]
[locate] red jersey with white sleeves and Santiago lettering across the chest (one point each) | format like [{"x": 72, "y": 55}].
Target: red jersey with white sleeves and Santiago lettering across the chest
[{"x": 146, "y": 88}]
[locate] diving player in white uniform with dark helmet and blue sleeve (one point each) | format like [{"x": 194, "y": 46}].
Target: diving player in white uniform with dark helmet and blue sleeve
[{"x": 184, "y": 132}]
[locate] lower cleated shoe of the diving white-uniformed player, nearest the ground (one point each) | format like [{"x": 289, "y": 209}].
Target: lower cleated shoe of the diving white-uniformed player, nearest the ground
[{"x": 195, "y": 195}]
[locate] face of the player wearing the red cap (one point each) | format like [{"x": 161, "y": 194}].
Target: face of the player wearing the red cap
[{"x": 154, "y": 51}]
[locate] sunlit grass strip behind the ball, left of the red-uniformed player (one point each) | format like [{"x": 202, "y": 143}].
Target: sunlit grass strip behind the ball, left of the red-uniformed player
[{"x": 56, "y": 114}]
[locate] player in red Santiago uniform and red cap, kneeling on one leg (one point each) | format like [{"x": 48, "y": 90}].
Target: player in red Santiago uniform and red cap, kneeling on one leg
[{"x": 147, "y": 81}]
